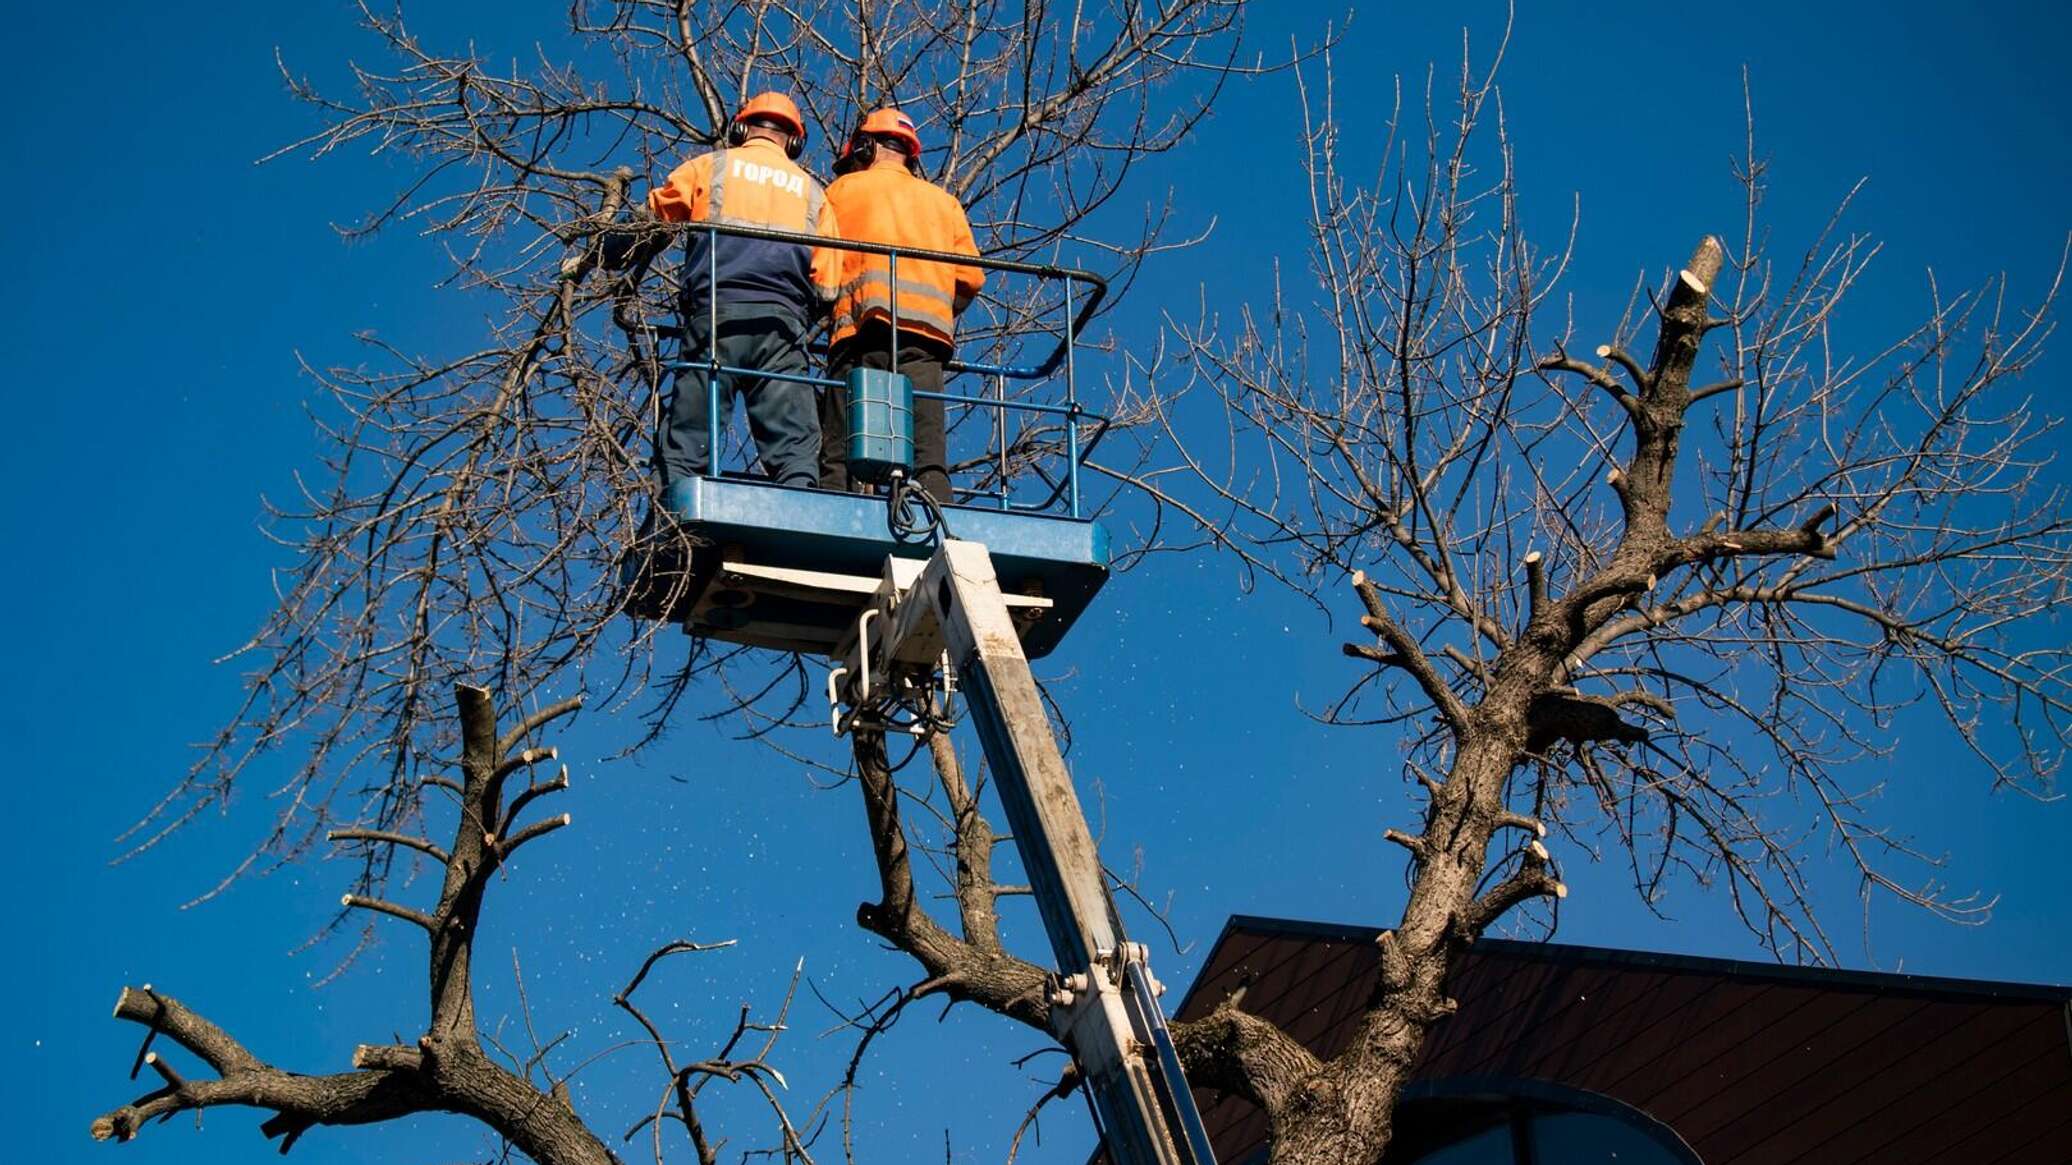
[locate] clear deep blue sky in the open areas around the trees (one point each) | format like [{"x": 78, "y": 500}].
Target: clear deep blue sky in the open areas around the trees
[{"x": 165, "y": 287}]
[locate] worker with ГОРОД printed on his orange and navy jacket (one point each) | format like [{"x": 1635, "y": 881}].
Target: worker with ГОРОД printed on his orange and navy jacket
[{"x": 768, "y": 295}]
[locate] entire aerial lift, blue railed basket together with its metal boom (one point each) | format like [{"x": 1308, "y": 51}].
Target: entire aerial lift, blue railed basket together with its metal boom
[{"x": 917, "y": 604}]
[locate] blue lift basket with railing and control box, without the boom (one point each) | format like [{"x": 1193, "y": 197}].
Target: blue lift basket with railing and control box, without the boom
[{"x": 747, "y": 561}]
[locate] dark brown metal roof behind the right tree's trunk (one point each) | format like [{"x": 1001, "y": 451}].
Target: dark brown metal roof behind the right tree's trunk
[{"x": 1752, "y": 1064}]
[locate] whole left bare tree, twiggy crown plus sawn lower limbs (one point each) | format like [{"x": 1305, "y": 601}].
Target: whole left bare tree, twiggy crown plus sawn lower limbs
[{"x": 471, "y": 511}]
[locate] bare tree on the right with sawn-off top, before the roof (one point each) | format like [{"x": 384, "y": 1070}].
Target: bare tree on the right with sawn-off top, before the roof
[{"x": 1855, "y": 536}]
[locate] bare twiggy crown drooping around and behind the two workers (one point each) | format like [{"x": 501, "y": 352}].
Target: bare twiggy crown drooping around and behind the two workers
[{"x": 473, "y": 507}]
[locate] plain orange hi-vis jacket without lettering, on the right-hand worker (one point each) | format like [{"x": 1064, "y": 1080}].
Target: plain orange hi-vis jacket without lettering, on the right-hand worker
[{"x": 886, "y": 204}]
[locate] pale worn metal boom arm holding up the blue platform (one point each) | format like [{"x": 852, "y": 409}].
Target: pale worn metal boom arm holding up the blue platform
[{"x": 940, "y": 623}]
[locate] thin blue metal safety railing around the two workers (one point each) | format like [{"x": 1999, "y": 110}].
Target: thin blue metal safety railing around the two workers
[{"x": 1076, "y": 314}]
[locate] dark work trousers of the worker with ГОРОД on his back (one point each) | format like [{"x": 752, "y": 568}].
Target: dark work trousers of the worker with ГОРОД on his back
[{"x": 782, "y": 416}]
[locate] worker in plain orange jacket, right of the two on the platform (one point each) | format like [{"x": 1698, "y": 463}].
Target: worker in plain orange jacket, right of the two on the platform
[{"x": 882, "y": 198}]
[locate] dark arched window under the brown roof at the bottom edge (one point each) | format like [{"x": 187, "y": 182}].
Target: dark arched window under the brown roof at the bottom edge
[{"x": 1526, "y": 1123}]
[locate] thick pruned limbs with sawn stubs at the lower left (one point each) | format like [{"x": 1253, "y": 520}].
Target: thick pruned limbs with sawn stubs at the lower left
[{"x": 455, "y": 1067}]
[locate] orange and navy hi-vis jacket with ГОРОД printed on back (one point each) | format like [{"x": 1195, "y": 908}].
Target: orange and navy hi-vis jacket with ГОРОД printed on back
[{"x": 753, "y": 186}]
